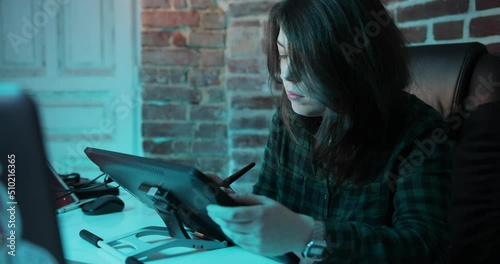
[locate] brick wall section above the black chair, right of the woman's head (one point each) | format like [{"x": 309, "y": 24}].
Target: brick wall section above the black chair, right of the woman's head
[{"x": 445, "y": 21}]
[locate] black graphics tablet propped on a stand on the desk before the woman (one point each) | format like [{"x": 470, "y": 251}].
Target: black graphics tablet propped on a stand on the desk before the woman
[{"x": 192, "y": 189}]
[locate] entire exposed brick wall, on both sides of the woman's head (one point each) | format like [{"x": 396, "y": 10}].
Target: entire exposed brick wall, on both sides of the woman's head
[{"x": 205, "y": 93}]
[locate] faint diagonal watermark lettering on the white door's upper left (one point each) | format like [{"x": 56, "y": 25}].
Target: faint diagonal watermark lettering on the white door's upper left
[{"x": 31, "y": 27}]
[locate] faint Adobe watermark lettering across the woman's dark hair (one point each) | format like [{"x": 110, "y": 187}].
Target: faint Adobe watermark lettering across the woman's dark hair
[{"x": 362, "y": 38}]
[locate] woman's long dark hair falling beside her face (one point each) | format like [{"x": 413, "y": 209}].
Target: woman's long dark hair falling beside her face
[{"x": 351, "y": 57}]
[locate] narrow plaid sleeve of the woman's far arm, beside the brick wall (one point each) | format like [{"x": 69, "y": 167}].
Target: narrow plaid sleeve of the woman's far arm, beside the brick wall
[{"x": 266, "y": 182}]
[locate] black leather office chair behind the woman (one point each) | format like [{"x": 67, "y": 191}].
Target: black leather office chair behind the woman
[{"x": 462, "y": 82}]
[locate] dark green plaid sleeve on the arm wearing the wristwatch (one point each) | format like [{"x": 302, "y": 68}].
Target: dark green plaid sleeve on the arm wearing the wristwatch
[{"x": 419, "y": 231}]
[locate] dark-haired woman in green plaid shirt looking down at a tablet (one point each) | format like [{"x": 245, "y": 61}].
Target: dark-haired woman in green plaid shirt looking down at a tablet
[{"x": 355, "y": 170}]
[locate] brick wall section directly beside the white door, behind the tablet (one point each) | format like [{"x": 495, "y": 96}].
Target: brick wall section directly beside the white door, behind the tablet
[{"x": 185, "y": 107}]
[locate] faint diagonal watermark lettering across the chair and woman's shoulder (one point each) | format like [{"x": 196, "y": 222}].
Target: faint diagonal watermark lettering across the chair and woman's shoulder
[{"x": 428, "y": 146}]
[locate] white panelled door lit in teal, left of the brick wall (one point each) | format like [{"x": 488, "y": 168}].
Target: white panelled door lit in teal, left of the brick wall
[{"x": 79, "y": 60}]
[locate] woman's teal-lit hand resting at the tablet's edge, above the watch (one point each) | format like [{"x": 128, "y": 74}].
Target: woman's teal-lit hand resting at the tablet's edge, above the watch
[{"x": 265, "y": 226}]
